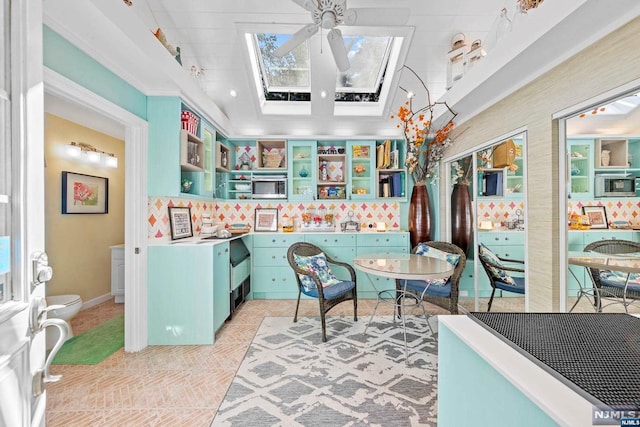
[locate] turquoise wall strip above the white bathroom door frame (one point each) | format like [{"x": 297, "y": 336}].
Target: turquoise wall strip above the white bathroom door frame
[{"x": 71, "y": 62}]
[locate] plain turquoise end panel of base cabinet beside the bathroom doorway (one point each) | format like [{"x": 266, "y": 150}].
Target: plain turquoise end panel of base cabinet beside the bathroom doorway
[{"x": 180, "y": 295}]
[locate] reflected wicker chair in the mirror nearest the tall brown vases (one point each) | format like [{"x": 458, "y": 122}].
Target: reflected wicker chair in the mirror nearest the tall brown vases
[{"x": 497, "y": 269}]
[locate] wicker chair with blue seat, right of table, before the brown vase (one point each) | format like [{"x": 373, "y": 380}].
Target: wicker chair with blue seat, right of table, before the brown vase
[{"x": 442, "y": 296}]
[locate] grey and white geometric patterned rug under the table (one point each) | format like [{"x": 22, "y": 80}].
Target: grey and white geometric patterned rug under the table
[{"x": 289, "y": 377}]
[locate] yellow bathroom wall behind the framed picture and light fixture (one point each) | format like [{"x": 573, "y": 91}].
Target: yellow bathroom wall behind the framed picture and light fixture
[{"x": 78, "y": 245}]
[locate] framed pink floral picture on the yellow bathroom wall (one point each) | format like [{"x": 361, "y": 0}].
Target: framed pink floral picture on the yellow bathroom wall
[{"x": 84, "y": 194}]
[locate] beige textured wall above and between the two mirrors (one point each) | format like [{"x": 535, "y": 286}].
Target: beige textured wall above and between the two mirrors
[{"x": 607, "y": 64}]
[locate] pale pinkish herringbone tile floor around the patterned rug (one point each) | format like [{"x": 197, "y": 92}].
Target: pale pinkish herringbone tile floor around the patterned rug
[{"x": 177, "y": 385}]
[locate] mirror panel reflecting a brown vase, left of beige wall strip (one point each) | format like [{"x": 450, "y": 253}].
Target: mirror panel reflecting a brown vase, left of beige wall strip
[{"x": 487, "y": 206}]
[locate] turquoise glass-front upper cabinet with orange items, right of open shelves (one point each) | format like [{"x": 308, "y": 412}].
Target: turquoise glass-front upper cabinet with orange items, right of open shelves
[{"x": 362, "y": 167}]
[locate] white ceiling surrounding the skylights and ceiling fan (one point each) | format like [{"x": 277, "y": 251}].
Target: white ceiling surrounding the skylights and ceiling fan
[{"x": 210, "y": 37}]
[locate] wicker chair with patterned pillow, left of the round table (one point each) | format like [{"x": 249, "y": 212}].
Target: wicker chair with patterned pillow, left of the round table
[{"x": 329, "y": 296}]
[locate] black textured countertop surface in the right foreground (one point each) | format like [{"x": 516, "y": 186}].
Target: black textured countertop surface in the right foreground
[{"x": 596, "y": 354}]
